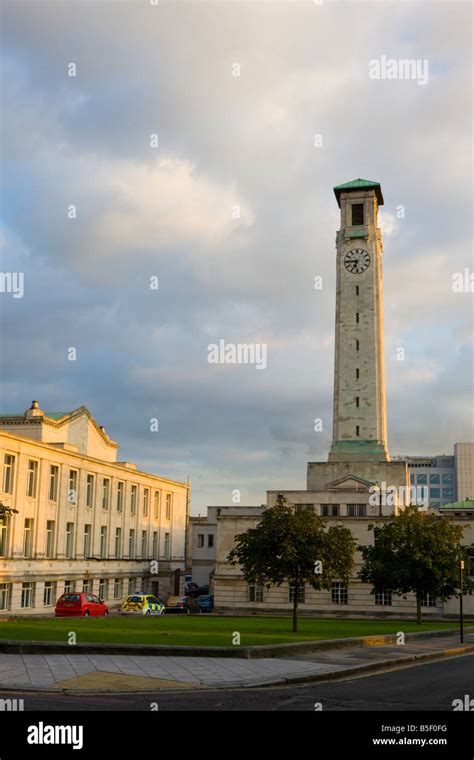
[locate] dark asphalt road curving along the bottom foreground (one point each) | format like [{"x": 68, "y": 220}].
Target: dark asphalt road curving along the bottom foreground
[{"x": 432, "y": 686}]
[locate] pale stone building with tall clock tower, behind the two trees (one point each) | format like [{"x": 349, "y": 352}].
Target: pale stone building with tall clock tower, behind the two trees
[{"x": 341, "y": 489}]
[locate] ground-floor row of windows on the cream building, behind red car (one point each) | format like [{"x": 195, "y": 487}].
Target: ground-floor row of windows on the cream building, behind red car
[{"x": 28, "y": 591}]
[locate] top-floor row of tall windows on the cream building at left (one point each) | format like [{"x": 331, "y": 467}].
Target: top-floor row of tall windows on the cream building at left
[{"x": 91, "y": 485}]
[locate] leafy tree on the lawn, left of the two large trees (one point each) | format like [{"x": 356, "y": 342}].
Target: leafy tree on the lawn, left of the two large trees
[{"x": 297, "y": 547}]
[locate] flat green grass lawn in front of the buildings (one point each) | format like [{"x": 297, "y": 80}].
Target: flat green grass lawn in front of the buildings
[{"x": 200, "y": 630}]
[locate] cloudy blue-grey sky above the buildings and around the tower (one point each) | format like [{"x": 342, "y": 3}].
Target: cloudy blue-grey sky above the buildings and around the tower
[{"x": 227, "y": 141}]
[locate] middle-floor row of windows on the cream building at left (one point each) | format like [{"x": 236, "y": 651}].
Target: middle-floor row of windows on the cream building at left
[{"x": 50, "y": 550}]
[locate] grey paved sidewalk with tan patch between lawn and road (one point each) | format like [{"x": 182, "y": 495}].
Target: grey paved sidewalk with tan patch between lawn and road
[{"x": 108, "y": 672}]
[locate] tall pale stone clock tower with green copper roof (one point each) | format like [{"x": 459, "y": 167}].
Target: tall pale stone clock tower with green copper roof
[{"x": 359, "y": 418}]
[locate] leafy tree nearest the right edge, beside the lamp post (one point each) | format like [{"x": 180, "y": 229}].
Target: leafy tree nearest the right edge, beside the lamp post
[{"x": 415, "y": 552}]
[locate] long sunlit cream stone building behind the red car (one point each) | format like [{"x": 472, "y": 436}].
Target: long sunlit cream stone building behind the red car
[{"x": 84, "y": 521}]
